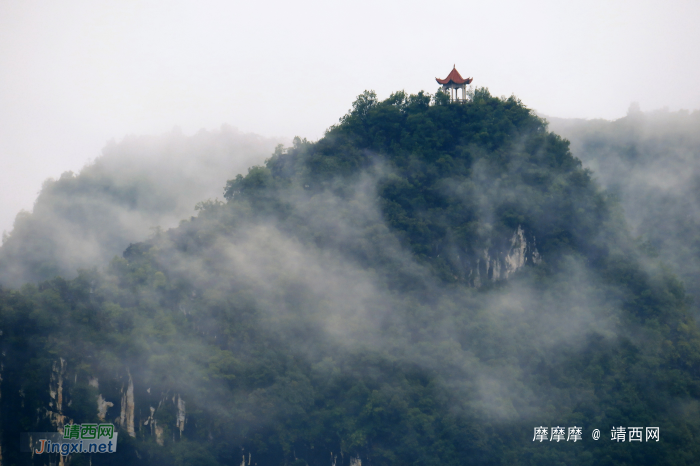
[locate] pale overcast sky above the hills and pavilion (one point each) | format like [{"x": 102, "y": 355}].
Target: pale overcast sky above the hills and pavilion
[{"x": 75, "y": 74}]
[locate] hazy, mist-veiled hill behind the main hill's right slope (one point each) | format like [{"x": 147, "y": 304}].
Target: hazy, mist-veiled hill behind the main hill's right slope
[{"x": 651, "y": 162}]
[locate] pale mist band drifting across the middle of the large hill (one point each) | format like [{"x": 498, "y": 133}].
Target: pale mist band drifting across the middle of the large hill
[{"x": 476, "y": 344}]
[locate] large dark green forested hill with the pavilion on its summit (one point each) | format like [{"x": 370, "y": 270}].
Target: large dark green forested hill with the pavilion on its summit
[{"x": 424, "y": 285}]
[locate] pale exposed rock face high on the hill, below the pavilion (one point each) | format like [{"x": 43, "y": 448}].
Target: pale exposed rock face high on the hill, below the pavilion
[{"x": 496, "y": 264}]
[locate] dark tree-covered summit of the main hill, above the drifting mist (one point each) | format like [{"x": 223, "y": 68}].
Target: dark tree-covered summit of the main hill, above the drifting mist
[{"x": 454, "y": 183}]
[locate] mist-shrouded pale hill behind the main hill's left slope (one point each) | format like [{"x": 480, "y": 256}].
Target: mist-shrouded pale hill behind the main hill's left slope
[{"x": 136, "y": 186}]
